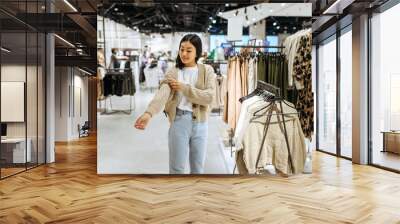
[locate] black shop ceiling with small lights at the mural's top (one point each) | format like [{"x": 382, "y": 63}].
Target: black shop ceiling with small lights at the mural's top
[{"x": 152, "y": 17}]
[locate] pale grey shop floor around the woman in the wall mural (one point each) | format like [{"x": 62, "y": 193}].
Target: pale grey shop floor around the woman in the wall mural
[{"x": 126, "y": 150}]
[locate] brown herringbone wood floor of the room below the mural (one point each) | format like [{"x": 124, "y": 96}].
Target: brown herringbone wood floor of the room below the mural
[{"x": 70, "y": 191}]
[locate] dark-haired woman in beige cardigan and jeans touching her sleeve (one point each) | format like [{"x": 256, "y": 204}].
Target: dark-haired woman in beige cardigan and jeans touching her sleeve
[{"x": 185, "y": 95}]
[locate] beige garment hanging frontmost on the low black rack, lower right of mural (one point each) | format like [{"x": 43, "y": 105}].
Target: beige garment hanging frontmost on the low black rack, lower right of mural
[{"x": 274, "y": 149}]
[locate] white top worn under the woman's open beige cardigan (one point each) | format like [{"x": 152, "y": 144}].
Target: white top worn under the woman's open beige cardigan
[{"x": 187, "y": 75}]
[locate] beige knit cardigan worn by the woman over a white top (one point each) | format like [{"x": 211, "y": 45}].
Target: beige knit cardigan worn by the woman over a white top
[{"x": 201, "y": 95}]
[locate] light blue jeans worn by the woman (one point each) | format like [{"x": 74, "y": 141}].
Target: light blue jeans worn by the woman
[{"x": 187, "y": 139}]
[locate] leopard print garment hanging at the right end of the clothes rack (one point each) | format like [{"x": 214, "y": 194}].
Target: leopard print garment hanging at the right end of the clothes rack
[{"x": 302, "y": 77}]
